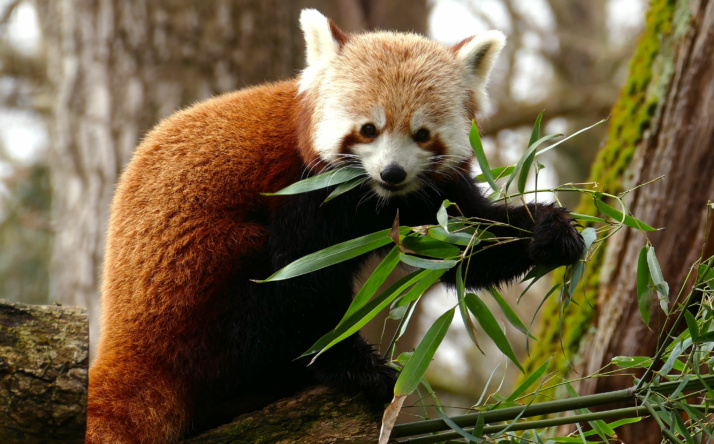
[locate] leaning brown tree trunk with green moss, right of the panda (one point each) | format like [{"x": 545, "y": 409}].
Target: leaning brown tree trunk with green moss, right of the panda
[{"x": 663, "y": 124}]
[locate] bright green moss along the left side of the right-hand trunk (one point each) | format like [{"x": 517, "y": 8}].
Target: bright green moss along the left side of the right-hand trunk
[{"x": 641, "y": 99}]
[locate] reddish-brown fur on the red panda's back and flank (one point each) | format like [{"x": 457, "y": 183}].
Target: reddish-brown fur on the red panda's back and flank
[{"x": 182, "y": 223}]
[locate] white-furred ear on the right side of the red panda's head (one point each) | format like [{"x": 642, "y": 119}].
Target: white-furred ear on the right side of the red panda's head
[{"x": 479, "y": 54}]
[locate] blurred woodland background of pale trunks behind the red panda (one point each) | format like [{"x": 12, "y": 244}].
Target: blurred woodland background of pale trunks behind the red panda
[{"x": 101, "y": 73}]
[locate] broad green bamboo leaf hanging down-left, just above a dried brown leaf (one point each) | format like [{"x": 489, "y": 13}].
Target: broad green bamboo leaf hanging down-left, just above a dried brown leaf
[{"x": 415, "y": 368}]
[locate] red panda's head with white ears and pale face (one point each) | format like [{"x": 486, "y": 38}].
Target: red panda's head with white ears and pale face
[{"x": 398, "y": 105}]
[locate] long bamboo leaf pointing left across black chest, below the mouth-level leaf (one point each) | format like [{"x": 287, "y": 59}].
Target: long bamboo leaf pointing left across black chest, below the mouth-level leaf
[{"x": 332, "y": 255}]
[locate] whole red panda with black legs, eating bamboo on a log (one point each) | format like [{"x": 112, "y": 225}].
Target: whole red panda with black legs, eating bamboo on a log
[{"x": 183, "y": 326}]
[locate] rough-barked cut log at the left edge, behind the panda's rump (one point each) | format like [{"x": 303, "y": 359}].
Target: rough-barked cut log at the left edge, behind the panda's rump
[{"x": 44, "y": 357}]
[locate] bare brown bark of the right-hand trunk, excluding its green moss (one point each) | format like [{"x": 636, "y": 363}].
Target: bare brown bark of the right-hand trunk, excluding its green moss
[{"x": 677, "y": 143}]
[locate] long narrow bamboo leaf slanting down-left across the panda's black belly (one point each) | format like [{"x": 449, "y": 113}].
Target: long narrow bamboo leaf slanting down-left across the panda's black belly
[{"x": 347, "y": 327}]
